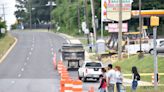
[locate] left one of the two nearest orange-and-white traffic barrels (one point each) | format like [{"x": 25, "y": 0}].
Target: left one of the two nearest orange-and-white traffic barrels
[{"x": 68, "y": 86}]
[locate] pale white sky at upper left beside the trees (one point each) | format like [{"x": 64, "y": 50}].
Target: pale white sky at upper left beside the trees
[{"x": 9, "y": 11}]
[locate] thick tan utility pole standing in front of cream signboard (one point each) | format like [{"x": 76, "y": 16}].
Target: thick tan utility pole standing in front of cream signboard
[{"x": 120, "y": 31}]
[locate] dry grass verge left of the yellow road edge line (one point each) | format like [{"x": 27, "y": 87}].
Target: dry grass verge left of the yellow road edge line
[{"x": 5, "y": 43}]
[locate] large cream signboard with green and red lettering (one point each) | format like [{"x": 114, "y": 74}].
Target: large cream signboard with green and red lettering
[{"x": 113, "y": 9}]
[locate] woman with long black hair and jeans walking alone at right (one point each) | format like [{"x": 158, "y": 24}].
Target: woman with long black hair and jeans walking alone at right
[{"x": 135, "y": 78}]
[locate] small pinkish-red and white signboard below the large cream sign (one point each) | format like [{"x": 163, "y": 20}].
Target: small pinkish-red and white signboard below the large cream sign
[{"x": 114, "y": 27}]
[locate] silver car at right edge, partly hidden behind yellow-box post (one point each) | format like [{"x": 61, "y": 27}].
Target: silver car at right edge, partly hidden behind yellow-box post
[{"x": 160, "y": 49}]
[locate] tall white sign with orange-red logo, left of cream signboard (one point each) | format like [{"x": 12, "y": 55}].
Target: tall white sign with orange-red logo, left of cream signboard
[{"x": 104, "y": 11}]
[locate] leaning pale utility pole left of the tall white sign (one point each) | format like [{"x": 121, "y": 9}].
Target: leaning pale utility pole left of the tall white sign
[{"x": 93, "y": 20}]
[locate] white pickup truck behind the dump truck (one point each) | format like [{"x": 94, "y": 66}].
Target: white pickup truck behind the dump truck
[{"x": 90, "y": 69}]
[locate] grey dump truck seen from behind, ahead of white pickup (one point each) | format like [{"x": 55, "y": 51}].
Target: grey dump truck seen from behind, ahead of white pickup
[{"x": 73, "y": 55}]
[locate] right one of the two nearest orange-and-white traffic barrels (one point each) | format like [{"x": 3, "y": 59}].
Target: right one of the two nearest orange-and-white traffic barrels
[{"x": 77, "y": 86}]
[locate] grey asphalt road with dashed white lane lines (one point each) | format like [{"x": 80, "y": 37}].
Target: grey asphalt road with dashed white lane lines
[{"x": 29, "y": 65}]
